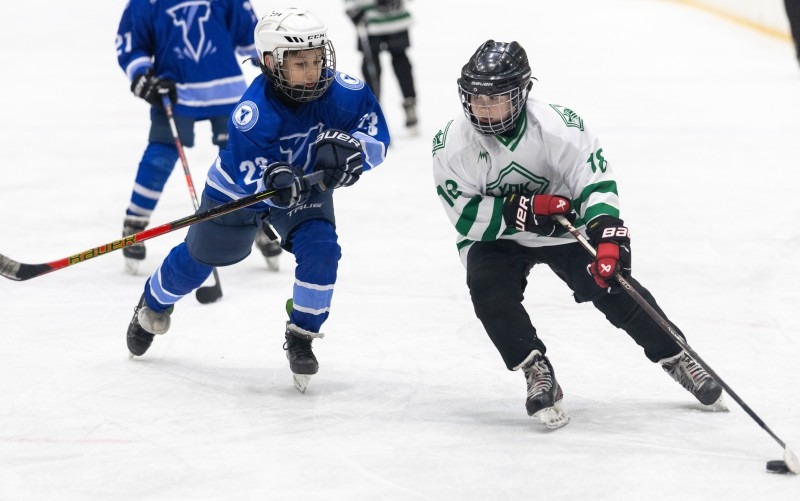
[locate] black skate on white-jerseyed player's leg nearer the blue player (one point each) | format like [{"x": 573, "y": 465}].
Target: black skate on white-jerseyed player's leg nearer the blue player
[{"x": 544, "y": 392}]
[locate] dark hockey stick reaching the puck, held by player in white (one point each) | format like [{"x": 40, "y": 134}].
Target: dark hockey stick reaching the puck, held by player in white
[{"x": 790, "y": 460}]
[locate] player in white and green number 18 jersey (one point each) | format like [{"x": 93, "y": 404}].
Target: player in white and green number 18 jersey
[{"x": 501, "y": 172}]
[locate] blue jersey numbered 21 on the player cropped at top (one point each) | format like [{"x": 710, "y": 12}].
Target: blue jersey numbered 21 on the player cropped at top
[{"x": 194, "y": 43}]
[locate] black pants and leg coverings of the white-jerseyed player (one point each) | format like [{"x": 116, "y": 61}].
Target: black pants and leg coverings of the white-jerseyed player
[{"x": 497, "y": 276}]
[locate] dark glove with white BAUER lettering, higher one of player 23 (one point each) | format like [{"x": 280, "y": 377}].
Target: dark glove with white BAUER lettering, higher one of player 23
[{"x": 339, "y": 155}]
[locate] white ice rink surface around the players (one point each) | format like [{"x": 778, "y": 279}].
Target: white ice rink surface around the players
[{"x": 700, "y": 120}]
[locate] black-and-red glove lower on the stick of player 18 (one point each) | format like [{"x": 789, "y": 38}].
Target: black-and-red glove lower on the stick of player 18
[{"x": 613, "y": 244}]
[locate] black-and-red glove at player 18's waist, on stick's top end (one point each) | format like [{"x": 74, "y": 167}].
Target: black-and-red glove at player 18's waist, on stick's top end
[{"x": 534, "y": 213}]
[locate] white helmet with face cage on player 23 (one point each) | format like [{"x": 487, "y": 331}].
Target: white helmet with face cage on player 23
[{"x": 294, "y": 29}]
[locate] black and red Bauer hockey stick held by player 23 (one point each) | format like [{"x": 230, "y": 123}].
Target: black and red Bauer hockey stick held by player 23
[{"x": 15, "y": 270}]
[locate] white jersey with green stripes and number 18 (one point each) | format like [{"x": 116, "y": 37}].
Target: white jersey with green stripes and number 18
[{"x": 551, "y": 152}]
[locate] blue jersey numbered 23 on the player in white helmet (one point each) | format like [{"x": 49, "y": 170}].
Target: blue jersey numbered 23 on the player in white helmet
[{"x": 262, "y": 130}]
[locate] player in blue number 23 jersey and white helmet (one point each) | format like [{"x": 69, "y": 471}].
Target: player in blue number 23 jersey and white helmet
[{"x": 300, "y": 116}]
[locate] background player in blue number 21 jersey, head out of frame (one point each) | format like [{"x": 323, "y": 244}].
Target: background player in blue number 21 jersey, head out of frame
[{"x": 190, "y": 49}]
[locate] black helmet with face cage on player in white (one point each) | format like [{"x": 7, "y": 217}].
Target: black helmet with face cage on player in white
[{"x": 495, "y": 70}]
